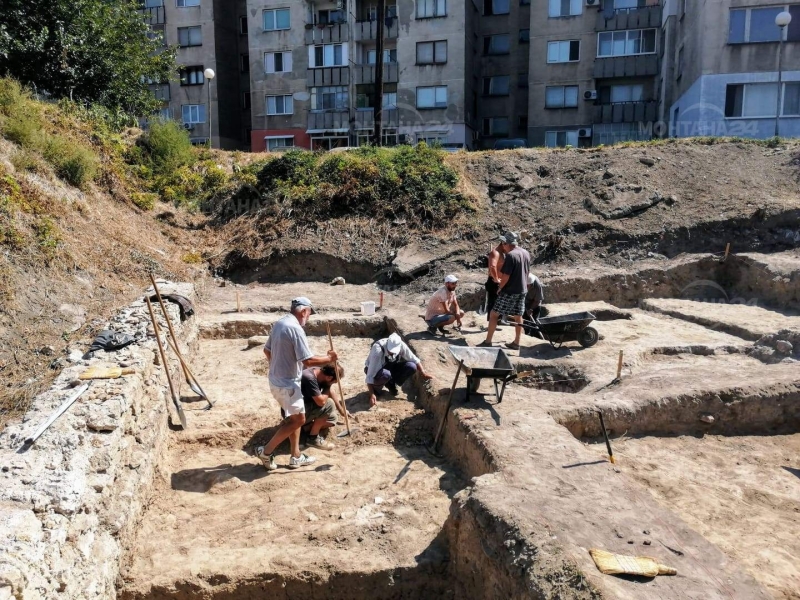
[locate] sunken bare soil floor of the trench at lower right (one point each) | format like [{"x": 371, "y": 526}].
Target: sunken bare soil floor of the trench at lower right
[{"x": 741, "y": 493}]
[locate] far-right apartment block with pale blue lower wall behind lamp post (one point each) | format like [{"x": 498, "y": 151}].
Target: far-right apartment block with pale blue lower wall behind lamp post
[{"x": 725, "y": 75}]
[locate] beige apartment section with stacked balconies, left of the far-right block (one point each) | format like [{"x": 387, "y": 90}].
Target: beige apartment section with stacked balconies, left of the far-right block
[{"x": 594, "y": 71}]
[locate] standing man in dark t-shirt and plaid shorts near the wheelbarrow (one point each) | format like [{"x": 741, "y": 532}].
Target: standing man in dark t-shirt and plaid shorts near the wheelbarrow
[{"x": 513, "y": 288}]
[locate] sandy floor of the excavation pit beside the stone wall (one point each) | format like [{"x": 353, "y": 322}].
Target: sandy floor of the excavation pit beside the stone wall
[{"x": 365, "y": 521}]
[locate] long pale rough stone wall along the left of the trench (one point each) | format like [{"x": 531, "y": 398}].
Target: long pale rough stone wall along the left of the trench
[{"x": 69, "y": 503}]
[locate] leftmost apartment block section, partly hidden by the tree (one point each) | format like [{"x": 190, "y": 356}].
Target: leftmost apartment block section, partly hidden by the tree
[{"x": 206, "y": 33}]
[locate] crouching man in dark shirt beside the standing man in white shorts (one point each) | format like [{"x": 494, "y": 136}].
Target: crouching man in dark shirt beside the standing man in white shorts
[{"x": 321, "y": 403}]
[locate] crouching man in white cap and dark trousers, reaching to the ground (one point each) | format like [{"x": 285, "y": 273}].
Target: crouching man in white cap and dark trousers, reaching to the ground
[{"x": 390, "y": 363}]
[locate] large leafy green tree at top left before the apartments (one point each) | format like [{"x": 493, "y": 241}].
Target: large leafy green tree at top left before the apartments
[{"x": 90, "y": 50}]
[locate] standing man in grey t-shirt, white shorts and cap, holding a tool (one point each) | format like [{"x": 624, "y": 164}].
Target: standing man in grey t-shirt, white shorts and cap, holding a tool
[{"x": 288, "y": 353}]
